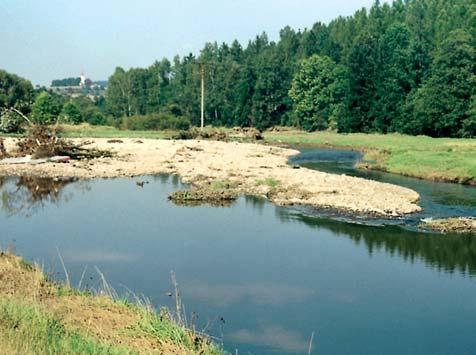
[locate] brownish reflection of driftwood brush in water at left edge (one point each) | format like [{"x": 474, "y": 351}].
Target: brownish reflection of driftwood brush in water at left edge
[{"x": 27, "y": 194}]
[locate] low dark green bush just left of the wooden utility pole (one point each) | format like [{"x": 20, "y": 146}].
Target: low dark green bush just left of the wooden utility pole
[{"x": 155, "y": 122}]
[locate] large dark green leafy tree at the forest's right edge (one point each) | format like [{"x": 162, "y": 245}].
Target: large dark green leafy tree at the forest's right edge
[{"x": 444, "y": 105}]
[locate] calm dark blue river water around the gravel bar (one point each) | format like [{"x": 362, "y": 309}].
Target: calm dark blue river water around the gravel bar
[{"x": 275, "y": 275}]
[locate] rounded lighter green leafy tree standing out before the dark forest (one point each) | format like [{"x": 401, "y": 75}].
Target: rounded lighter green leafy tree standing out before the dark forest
[{"x": 320, "y": 92}]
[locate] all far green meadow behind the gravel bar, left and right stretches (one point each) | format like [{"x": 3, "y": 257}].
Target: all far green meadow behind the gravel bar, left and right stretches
[{"x": 435, "y": 159}]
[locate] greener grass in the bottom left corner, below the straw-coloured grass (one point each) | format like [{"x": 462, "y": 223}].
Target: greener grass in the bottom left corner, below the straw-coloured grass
[{"x": 26, "y": 329}]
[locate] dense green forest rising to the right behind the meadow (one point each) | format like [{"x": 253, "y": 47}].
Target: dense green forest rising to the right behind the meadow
[{"x": 406, "y": 67}]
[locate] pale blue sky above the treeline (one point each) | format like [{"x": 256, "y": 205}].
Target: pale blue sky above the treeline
[{"x": 43, "y": 40}]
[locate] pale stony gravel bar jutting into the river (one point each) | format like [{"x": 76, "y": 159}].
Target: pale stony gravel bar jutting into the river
[{"x": 246, "y": 168}]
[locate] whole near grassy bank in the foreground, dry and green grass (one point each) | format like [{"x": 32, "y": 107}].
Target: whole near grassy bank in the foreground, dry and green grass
[{"x": 39, "y": 316}]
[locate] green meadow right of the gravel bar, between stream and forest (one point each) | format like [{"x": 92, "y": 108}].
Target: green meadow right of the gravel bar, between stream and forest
[{"x": 439, "y": 159}]
